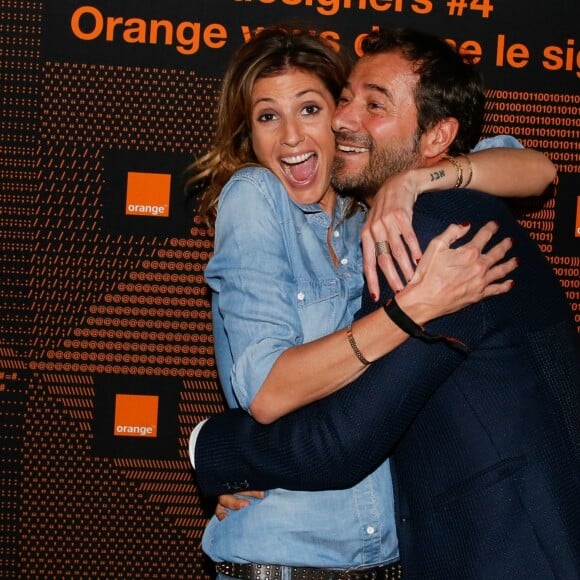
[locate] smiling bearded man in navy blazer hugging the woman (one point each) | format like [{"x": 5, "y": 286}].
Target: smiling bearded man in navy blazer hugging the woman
[{"x": 484, "y": 446}]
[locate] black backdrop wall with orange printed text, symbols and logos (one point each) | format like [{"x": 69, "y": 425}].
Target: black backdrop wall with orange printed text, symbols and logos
[{"x": 106, "y": 357}]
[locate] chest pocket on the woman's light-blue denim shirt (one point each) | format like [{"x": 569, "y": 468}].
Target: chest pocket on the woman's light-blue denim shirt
[{"x": 320, "y": 306}]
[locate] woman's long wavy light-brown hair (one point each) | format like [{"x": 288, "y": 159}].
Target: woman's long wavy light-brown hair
[{"x": 271, "y": 52}]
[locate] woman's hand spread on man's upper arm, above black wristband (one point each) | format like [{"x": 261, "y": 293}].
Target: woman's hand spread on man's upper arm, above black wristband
[{"x": 447, "y": 280}]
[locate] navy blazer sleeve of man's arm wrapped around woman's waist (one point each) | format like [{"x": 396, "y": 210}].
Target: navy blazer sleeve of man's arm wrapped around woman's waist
[{"x": 335, "y": 442}]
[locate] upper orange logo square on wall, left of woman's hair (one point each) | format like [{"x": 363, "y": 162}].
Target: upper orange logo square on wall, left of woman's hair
[{"x": 148, "y": 194}]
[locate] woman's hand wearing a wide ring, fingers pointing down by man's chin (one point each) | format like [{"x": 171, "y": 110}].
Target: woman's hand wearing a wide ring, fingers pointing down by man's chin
[{"x": 389, "y": 220}]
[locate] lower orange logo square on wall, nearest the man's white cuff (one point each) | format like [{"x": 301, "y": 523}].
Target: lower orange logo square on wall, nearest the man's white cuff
[{"x": 136, "y": 415}]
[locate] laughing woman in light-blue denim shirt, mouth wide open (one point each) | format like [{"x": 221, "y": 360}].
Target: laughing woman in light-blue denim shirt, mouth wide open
[{"x": 286, "y": 273}]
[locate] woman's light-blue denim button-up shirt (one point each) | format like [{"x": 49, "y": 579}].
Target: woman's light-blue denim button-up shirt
[{"x": 275, "y": 286}]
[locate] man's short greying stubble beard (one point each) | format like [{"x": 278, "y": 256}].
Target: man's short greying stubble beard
[{"x": 383, "y": 163}]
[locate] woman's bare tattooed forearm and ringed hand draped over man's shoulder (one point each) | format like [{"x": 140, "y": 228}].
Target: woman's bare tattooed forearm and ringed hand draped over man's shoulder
[{"x": 500, "y": 171}]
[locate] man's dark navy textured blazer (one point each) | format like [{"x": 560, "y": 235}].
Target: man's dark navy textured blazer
[{"x": 485, "y": 448}]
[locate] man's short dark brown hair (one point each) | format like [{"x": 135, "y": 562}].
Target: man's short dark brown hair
[{"x": 448, "y": 86}]
